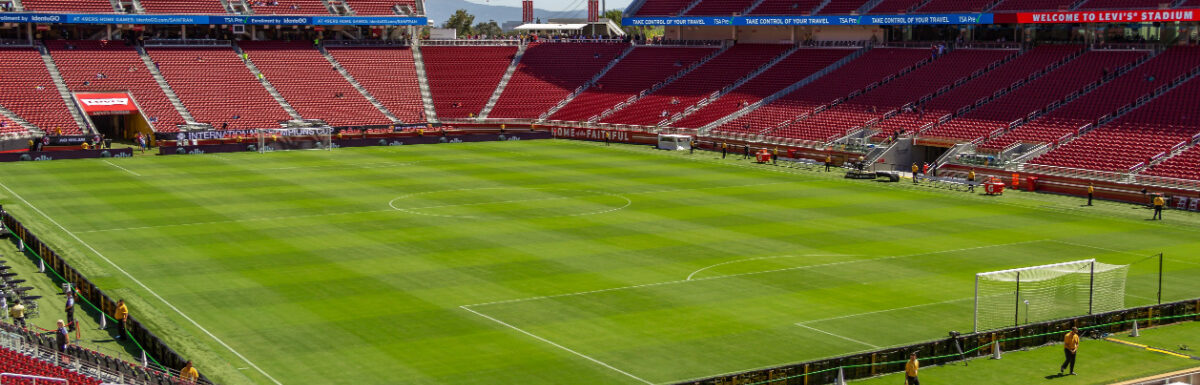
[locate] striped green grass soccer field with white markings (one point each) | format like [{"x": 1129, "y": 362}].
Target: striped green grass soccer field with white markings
[{"x": 549, "y": 262}]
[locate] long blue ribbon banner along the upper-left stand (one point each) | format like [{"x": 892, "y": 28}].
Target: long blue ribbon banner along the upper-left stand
[{"x": 201, "y": 20}]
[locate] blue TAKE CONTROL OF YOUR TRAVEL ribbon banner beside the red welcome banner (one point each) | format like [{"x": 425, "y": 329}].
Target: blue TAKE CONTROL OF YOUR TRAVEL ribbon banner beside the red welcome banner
[{"x": 881, "y": 20}]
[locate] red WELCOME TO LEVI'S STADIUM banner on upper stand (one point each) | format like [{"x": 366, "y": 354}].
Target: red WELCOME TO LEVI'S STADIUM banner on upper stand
[{"x": 1101, "y": 17}]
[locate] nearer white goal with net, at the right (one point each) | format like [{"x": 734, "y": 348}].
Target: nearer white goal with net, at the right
[{"x": 1016, "y": 297}]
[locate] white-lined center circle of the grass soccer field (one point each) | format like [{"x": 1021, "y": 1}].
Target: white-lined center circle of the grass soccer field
[{"x": 521, "y": 203}]
